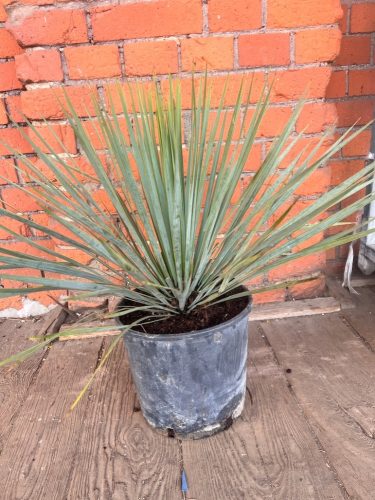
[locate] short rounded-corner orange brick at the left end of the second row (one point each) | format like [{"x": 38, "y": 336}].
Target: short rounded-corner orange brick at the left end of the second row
[{"x": 39, "y": 66}]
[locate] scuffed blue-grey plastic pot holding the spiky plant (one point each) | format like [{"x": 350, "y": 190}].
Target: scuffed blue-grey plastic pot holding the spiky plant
[{"x": 191, "y": 385}]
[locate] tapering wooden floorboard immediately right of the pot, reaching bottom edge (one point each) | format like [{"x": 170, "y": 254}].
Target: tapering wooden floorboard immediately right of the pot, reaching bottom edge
[{"x": 295, "y": 466}]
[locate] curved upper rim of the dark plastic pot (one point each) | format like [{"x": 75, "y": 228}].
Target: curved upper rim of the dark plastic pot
[{"x": 193, "y": 333}]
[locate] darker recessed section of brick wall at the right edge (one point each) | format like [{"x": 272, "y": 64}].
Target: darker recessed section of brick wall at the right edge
[{"x": 351, "y": 93}]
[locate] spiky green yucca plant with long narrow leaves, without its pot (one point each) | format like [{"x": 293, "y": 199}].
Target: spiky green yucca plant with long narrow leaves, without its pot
[{"x": 168, "y": 237}]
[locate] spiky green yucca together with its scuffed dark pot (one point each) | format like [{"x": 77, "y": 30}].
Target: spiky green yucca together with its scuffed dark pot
[{"x": 174, "y": 240}]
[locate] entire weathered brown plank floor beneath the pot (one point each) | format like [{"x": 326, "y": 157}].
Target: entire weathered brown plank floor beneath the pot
[{"x": 307, "y": 432}]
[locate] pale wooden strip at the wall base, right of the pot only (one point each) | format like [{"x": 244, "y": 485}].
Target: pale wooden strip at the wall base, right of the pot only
[{"x": 305, "y": 307}]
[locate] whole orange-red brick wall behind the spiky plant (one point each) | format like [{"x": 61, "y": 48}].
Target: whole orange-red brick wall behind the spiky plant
[{"x": 88, "y": 46}]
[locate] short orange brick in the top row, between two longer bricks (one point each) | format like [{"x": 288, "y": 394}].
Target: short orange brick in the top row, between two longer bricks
[{"x": 240, "y": 15}]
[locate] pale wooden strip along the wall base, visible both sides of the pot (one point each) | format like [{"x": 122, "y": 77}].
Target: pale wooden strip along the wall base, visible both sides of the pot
[{"x": 262, "y": 312}]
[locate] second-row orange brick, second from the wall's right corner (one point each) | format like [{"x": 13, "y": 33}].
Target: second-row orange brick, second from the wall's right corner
[{"x": 265, "y": 49}]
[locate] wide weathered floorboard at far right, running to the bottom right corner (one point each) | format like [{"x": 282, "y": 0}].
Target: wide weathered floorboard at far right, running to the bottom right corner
[{"x": 331, "y": 371}]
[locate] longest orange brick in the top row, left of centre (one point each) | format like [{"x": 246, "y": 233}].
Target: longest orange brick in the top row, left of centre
[{"x": 147, "y": 19}]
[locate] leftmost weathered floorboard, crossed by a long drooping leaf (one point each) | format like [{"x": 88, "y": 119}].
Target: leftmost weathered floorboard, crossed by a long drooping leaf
[{"x": 15, "y": 381}]
